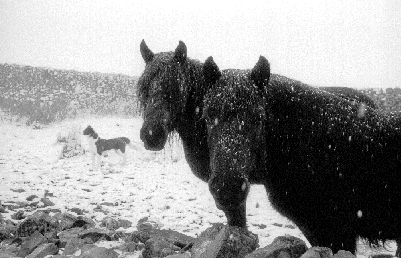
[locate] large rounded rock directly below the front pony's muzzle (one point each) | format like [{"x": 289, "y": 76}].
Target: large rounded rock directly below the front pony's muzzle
[{"x": 224, "y": 241}]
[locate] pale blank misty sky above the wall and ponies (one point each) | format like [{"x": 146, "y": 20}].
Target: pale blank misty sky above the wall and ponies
[{"x": 355, "y": 43}]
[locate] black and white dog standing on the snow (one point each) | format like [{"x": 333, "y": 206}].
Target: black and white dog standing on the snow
[{"x": 99, "y": 146}]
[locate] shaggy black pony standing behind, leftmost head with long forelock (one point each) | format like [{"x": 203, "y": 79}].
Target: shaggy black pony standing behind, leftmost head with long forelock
[{"x": 171, "y": 91}]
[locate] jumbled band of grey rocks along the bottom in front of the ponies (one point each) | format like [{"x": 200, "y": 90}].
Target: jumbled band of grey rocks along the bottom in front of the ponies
[{"x": 48, "y": 232}]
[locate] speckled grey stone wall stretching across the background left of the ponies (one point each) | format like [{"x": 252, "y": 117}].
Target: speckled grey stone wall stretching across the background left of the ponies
[{"x": 46, "y": 95}]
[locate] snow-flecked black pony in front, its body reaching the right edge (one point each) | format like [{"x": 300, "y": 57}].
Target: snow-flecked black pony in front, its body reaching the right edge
[{"x": 330, "y": 167}]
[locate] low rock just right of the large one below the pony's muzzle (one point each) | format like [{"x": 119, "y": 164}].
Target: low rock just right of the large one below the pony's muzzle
[{"x": 283, "y": 247}]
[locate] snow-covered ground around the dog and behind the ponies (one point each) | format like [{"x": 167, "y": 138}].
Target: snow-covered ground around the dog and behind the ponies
[{"x": 158, "y": 185}]
